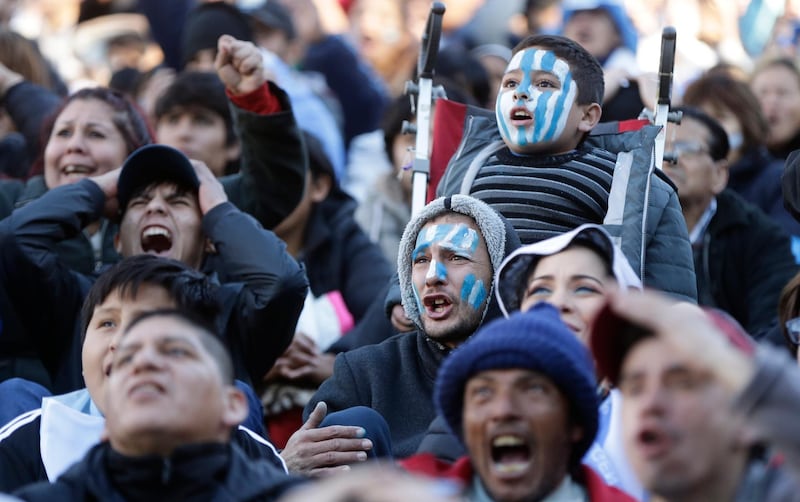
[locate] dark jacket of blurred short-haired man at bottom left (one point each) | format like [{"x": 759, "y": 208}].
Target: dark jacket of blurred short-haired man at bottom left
[{"x": 209, "y": 472}]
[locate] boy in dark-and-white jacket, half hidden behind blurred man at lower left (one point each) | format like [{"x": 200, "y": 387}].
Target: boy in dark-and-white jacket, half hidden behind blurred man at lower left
[{"x": 41, "y": 444}]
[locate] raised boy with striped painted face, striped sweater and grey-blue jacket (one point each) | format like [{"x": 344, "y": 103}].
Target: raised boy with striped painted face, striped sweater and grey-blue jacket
[{"x": 546, "y": 179}]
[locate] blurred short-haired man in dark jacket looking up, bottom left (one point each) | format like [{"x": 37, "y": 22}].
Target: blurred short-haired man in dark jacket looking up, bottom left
[{"x": 164, "y": 440}]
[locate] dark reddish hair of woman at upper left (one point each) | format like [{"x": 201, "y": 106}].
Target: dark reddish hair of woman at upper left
[{"x": 127, "y": 118}]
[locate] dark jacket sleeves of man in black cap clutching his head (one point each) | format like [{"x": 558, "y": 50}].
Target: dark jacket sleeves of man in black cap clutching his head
[{"x": 261, "y": 299}]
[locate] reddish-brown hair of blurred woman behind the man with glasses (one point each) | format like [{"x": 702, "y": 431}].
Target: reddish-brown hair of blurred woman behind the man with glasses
[{"x": 722, "y": 92}]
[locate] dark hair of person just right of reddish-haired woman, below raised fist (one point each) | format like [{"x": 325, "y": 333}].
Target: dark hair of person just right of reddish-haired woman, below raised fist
[{"x": 197, "y": 89}]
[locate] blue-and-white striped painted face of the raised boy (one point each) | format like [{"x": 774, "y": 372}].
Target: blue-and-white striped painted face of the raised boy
[{"x": 533, "y": 105}]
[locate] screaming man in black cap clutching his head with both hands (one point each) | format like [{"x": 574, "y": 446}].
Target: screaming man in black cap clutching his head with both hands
[{"x": 171, "y": 207}]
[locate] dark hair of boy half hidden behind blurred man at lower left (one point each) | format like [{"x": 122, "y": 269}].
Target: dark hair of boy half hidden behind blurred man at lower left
[{"x": 191, "y": 290}]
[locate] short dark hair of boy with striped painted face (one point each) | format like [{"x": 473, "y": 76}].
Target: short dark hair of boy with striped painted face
[{"x": 586, "y": 70}]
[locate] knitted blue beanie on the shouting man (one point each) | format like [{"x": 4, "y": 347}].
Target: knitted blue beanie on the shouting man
[{"x": 536, "y": 340}]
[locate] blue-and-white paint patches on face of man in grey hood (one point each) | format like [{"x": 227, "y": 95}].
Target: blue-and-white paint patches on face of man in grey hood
[{"x": 442, "y": 245}]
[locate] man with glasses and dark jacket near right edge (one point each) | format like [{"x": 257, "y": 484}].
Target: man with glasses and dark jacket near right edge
[{"x": 742, "y": 259}]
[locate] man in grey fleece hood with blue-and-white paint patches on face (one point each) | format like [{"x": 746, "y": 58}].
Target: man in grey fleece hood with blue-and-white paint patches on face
[{"x": 447, "y": 258}]
